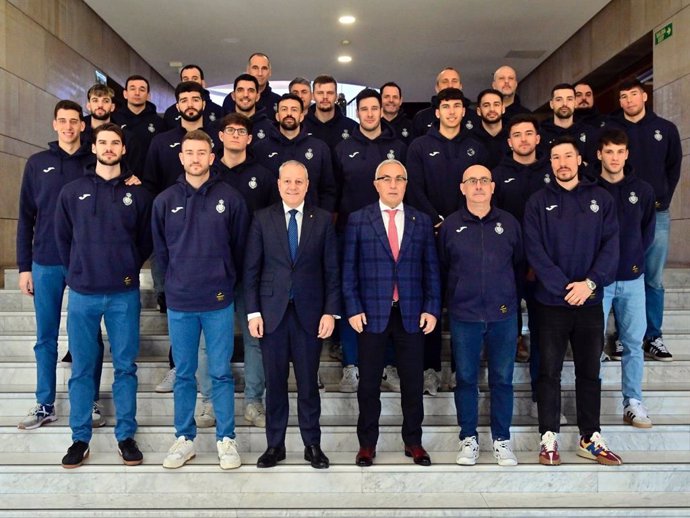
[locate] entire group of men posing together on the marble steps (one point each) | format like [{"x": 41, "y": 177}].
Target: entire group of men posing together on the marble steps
[{"x": 468, "y": 210}]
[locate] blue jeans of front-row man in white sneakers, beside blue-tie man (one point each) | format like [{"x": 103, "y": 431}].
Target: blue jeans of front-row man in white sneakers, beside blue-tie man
[{"x": 185, "y": 329}]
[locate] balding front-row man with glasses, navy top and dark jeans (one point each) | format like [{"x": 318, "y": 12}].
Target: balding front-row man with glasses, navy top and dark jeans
[{"x": 480, "y": 251}]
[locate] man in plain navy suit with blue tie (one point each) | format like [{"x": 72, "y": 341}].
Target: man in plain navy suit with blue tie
[{"x": 292, "y": 295}]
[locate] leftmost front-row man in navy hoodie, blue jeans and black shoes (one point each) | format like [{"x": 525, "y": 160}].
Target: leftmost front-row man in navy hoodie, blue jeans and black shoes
[{"x": 103, "y": 234}]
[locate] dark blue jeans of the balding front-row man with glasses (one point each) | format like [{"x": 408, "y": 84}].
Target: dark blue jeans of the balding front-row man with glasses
[{"x": 501, "y": 342}]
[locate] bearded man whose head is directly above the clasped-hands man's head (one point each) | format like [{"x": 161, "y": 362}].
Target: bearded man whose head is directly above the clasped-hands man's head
[{"x": 563, "y": 105}]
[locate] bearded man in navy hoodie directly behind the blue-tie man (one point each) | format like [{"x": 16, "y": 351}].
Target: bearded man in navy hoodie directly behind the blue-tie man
[{"x": 288, "y": 142}]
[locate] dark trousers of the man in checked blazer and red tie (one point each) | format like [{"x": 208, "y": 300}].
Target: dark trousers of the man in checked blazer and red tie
[{"x": 409, "y": 357}]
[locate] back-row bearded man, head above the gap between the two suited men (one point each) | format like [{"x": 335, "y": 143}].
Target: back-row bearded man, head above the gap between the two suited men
[{"x": 323, "y": 120}]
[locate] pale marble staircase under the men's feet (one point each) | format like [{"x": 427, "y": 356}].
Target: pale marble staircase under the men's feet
[{"x": 654, "y": 481}]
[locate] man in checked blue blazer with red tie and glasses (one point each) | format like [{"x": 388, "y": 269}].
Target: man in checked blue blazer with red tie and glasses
[{"x": 395, "y": 297}]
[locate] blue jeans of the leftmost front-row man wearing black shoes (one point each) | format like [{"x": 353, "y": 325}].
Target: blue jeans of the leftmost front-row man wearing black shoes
[{"x": 121, "y": 312}]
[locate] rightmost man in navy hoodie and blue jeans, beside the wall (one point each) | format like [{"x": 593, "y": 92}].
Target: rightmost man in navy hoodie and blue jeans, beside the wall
[{"x": 655, "y": 156}]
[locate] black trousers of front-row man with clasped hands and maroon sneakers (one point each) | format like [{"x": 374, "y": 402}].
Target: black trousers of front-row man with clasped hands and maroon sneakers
[{"x": 584, "y": 328}]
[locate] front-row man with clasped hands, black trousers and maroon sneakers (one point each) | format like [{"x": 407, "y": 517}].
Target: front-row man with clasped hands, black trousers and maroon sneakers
[{"x": 571, "y": 240}]
